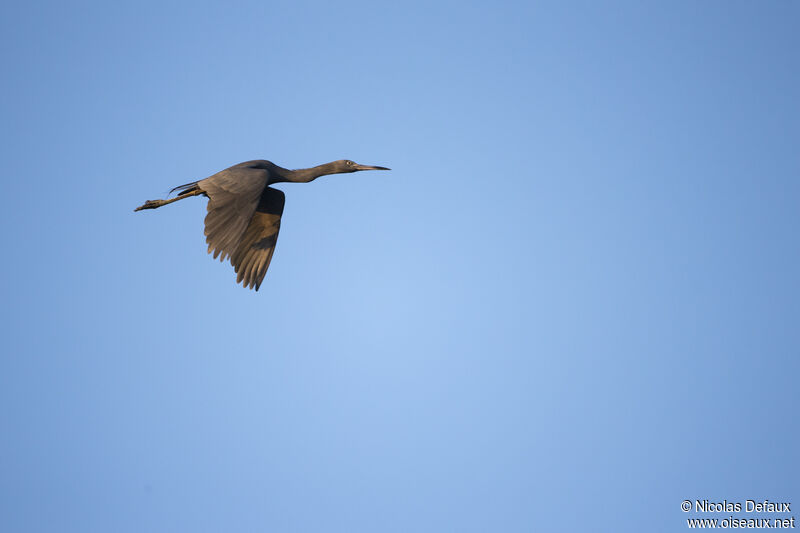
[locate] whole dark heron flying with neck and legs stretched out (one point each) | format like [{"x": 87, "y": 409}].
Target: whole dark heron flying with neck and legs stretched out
[{"x": 244, "y": 212}]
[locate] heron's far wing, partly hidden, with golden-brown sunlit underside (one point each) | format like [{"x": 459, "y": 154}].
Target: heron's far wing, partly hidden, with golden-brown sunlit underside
[{"x": 252, "y": 256}]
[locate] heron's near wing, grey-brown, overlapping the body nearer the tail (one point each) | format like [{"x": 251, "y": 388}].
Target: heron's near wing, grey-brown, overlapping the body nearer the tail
[{"x": 233, "y": 195}]
